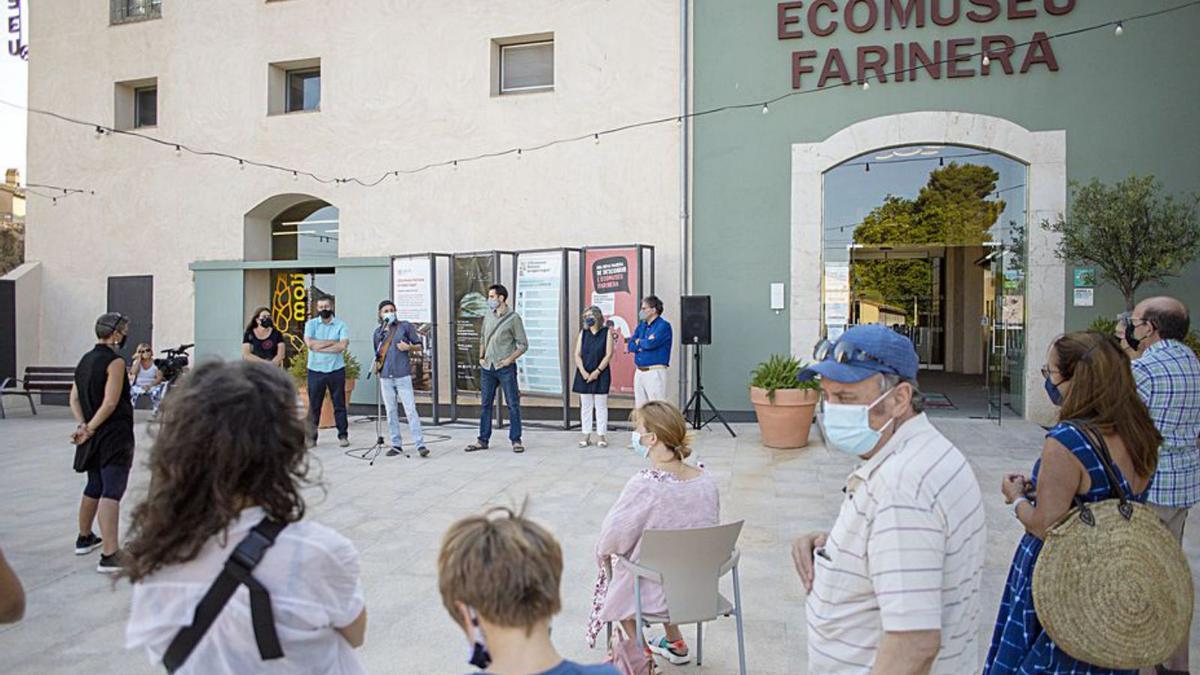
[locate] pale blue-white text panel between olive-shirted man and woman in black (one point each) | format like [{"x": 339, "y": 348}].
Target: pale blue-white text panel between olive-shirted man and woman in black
[{"x": 539, "y": 303}]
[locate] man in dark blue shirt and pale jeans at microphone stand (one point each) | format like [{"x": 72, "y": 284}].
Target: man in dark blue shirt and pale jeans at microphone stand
[{"x": 394, "y": 342}]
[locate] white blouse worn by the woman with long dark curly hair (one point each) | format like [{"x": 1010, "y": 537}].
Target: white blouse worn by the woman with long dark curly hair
[{"x": 313, "y": 575}]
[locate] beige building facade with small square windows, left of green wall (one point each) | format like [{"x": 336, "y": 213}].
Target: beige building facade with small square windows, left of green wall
[{"x": 401, "y": 85}]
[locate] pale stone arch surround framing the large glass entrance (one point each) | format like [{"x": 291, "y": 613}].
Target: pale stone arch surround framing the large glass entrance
[{"x": 1042, "y": 153}]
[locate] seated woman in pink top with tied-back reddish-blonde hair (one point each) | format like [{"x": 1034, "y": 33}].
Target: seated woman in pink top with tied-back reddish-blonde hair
[{"x": 668, "y": 495}]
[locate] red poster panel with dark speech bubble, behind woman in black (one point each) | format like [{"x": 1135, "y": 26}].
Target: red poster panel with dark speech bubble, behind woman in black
[{"x": 610, "y": 283}]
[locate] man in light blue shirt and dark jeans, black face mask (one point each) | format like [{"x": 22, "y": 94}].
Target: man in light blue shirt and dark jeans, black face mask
[{"x": 327, "y": 338}]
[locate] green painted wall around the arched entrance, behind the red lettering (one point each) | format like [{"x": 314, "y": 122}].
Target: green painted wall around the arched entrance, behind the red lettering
[{"x": 1129, "y": 105}]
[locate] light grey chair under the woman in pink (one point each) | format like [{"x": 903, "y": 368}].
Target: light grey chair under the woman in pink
[{"x": 689, "y": 564}]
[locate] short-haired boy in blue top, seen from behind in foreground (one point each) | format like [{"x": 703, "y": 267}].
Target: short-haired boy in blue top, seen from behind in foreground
[{"x": 500, "y": 578}]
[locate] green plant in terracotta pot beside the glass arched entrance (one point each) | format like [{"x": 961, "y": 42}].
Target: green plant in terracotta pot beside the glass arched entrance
[{"x": 784, "y": 405}]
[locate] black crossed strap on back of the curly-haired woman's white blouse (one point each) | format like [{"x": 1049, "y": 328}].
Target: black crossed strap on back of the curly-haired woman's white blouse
[{"x": 237, "y": 571}]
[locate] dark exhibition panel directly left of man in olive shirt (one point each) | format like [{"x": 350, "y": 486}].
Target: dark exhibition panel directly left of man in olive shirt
[{"x": 472, "y": 277}]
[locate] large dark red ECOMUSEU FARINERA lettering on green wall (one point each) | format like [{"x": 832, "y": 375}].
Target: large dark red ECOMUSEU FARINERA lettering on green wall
[{"x": 901, "y": 61}]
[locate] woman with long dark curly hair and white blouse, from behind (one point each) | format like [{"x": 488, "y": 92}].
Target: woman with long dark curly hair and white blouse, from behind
[{"x": 229, "y": 458}]
